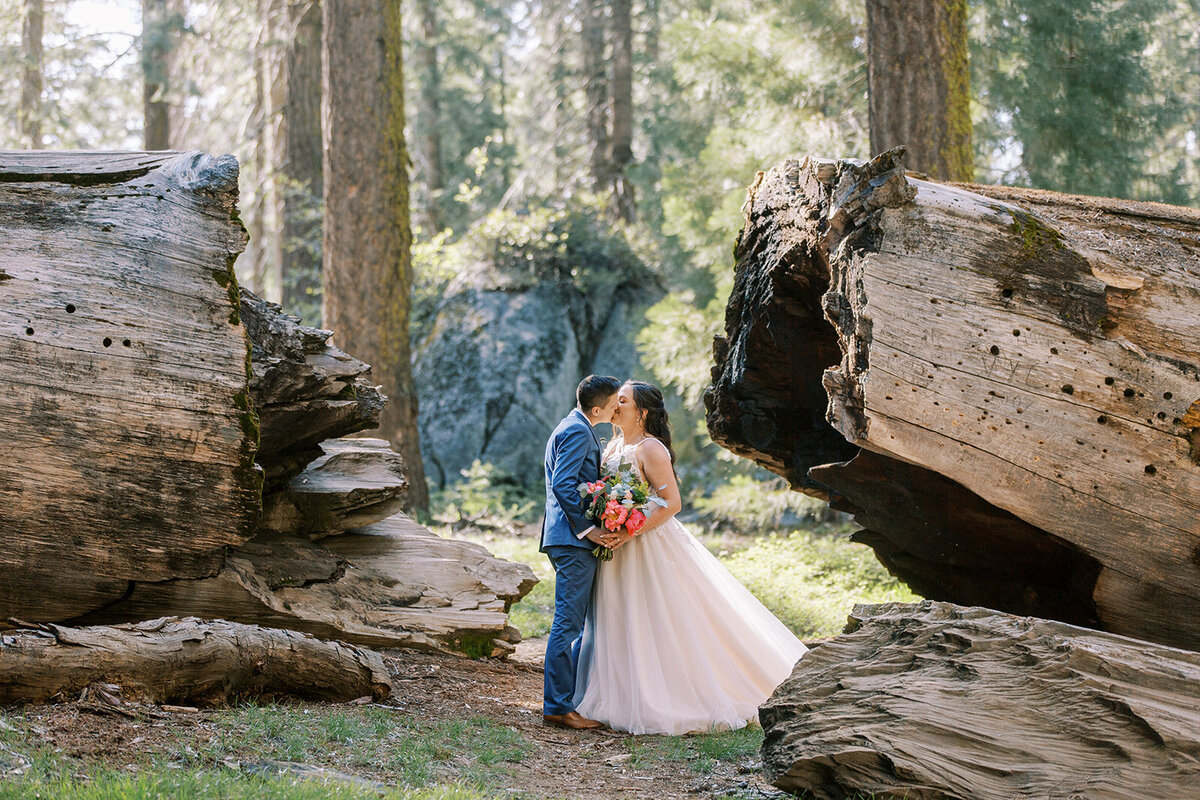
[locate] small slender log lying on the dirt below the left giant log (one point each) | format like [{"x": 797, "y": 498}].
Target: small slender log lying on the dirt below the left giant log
[{"x": 185, "y": 661}]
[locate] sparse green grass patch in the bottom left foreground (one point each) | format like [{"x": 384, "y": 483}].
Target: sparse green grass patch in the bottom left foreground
[{"x": 419, "y": 760}]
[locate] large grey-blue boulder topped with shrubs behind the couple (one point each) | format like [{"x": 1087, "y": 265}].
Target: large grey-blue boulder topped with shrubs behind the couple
[{"x": 513, "y": 336}]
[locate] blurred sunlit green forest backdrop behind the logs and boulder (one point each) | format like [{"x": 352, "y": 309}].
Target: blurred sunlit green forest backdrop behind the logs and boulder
[{"x": 638, "y": 123}]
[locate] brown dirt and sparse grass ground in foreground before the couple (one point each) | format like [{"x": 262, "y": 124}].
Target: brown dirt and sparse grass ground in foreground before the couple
[{"x": 454, "y": 729}]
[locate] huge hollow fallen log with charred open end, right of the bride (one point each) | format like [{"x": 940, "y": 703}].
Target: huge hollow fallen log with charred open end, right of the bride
[{"x": 1040, "y": 351}]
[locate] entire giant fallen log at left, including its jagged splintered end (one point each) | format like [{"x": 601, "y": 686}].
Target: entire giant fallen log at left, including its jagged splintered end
[{"x": 133, "y": 474}]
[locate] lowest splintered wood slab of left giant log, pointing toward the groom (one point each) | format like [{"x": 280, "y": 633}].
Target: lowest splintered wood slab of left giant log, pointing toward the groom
[{"x": 389, "y": 585}]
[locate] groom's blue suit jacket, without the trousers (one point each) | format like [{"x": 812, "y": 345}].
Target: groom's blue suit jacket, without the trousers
[{"x": 573, "y": 458}]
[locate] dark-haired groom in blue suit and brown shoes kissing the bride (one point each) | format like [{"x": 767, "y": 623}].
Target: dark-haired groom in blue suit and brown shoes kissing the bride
[{"x": 568, "y": 538}]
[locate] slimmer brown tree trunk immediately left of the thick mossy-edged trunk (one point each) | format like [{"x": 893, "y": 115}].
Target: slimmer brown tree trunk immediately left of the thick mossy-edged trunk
[{"x": 299, "y": 170}]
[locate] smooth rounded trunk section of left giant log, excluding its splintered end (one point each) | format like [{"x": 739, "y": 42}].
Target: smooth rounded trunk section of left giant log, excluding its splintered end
[{"x": 125, "y": 376}]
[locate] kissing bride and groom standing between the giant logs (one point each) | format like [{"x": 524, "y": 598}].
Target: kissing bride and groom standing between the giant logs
[{"x": 662, "y": 639}]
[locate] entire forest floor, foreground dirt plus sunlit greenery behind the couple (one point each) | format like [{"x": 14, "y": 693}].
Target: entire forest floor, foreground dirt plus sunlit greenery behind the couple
[{"x": 454, "y": 729}]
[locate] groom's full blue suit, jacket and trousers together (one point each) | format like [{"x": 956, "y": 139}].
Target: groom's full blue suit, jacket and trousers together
[{"x": 573, "y": 458}]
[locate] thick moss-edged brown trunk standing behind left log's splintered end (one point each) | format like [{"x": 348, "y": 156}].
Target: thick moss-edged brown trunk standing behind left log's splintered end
[{"x": 368, "y": 243}]
